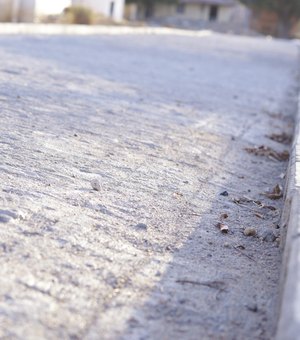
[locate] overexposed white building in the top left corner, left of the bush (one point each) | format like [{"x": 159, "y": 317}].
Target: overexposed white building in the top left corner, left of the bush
[{"x": 30, "y": 10}]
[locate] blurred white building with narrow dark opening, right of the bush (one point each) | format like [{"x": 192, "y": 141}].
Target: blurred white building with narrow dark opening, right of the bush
[{"x": 109, "y": 8}]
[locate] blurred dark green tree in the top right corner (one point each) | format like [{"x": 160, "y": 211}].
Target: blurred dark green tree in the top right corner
[{"x": 287, "y": 11}]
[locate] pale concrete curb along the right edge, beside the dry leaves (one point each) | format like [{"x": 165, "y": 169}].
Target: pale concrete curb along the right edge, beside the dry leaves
[{"x": 289, "y": 318}]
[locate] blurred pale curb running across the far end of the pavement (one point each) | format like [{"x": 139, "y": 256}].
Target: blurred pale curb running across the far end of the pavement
[{"x": 55, "y": 29}]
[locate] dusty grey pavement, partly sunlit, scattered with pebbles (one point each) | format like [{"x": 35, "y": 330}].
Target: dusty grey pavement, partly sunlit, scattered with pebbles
[{"x": 162, "y": 122}]
